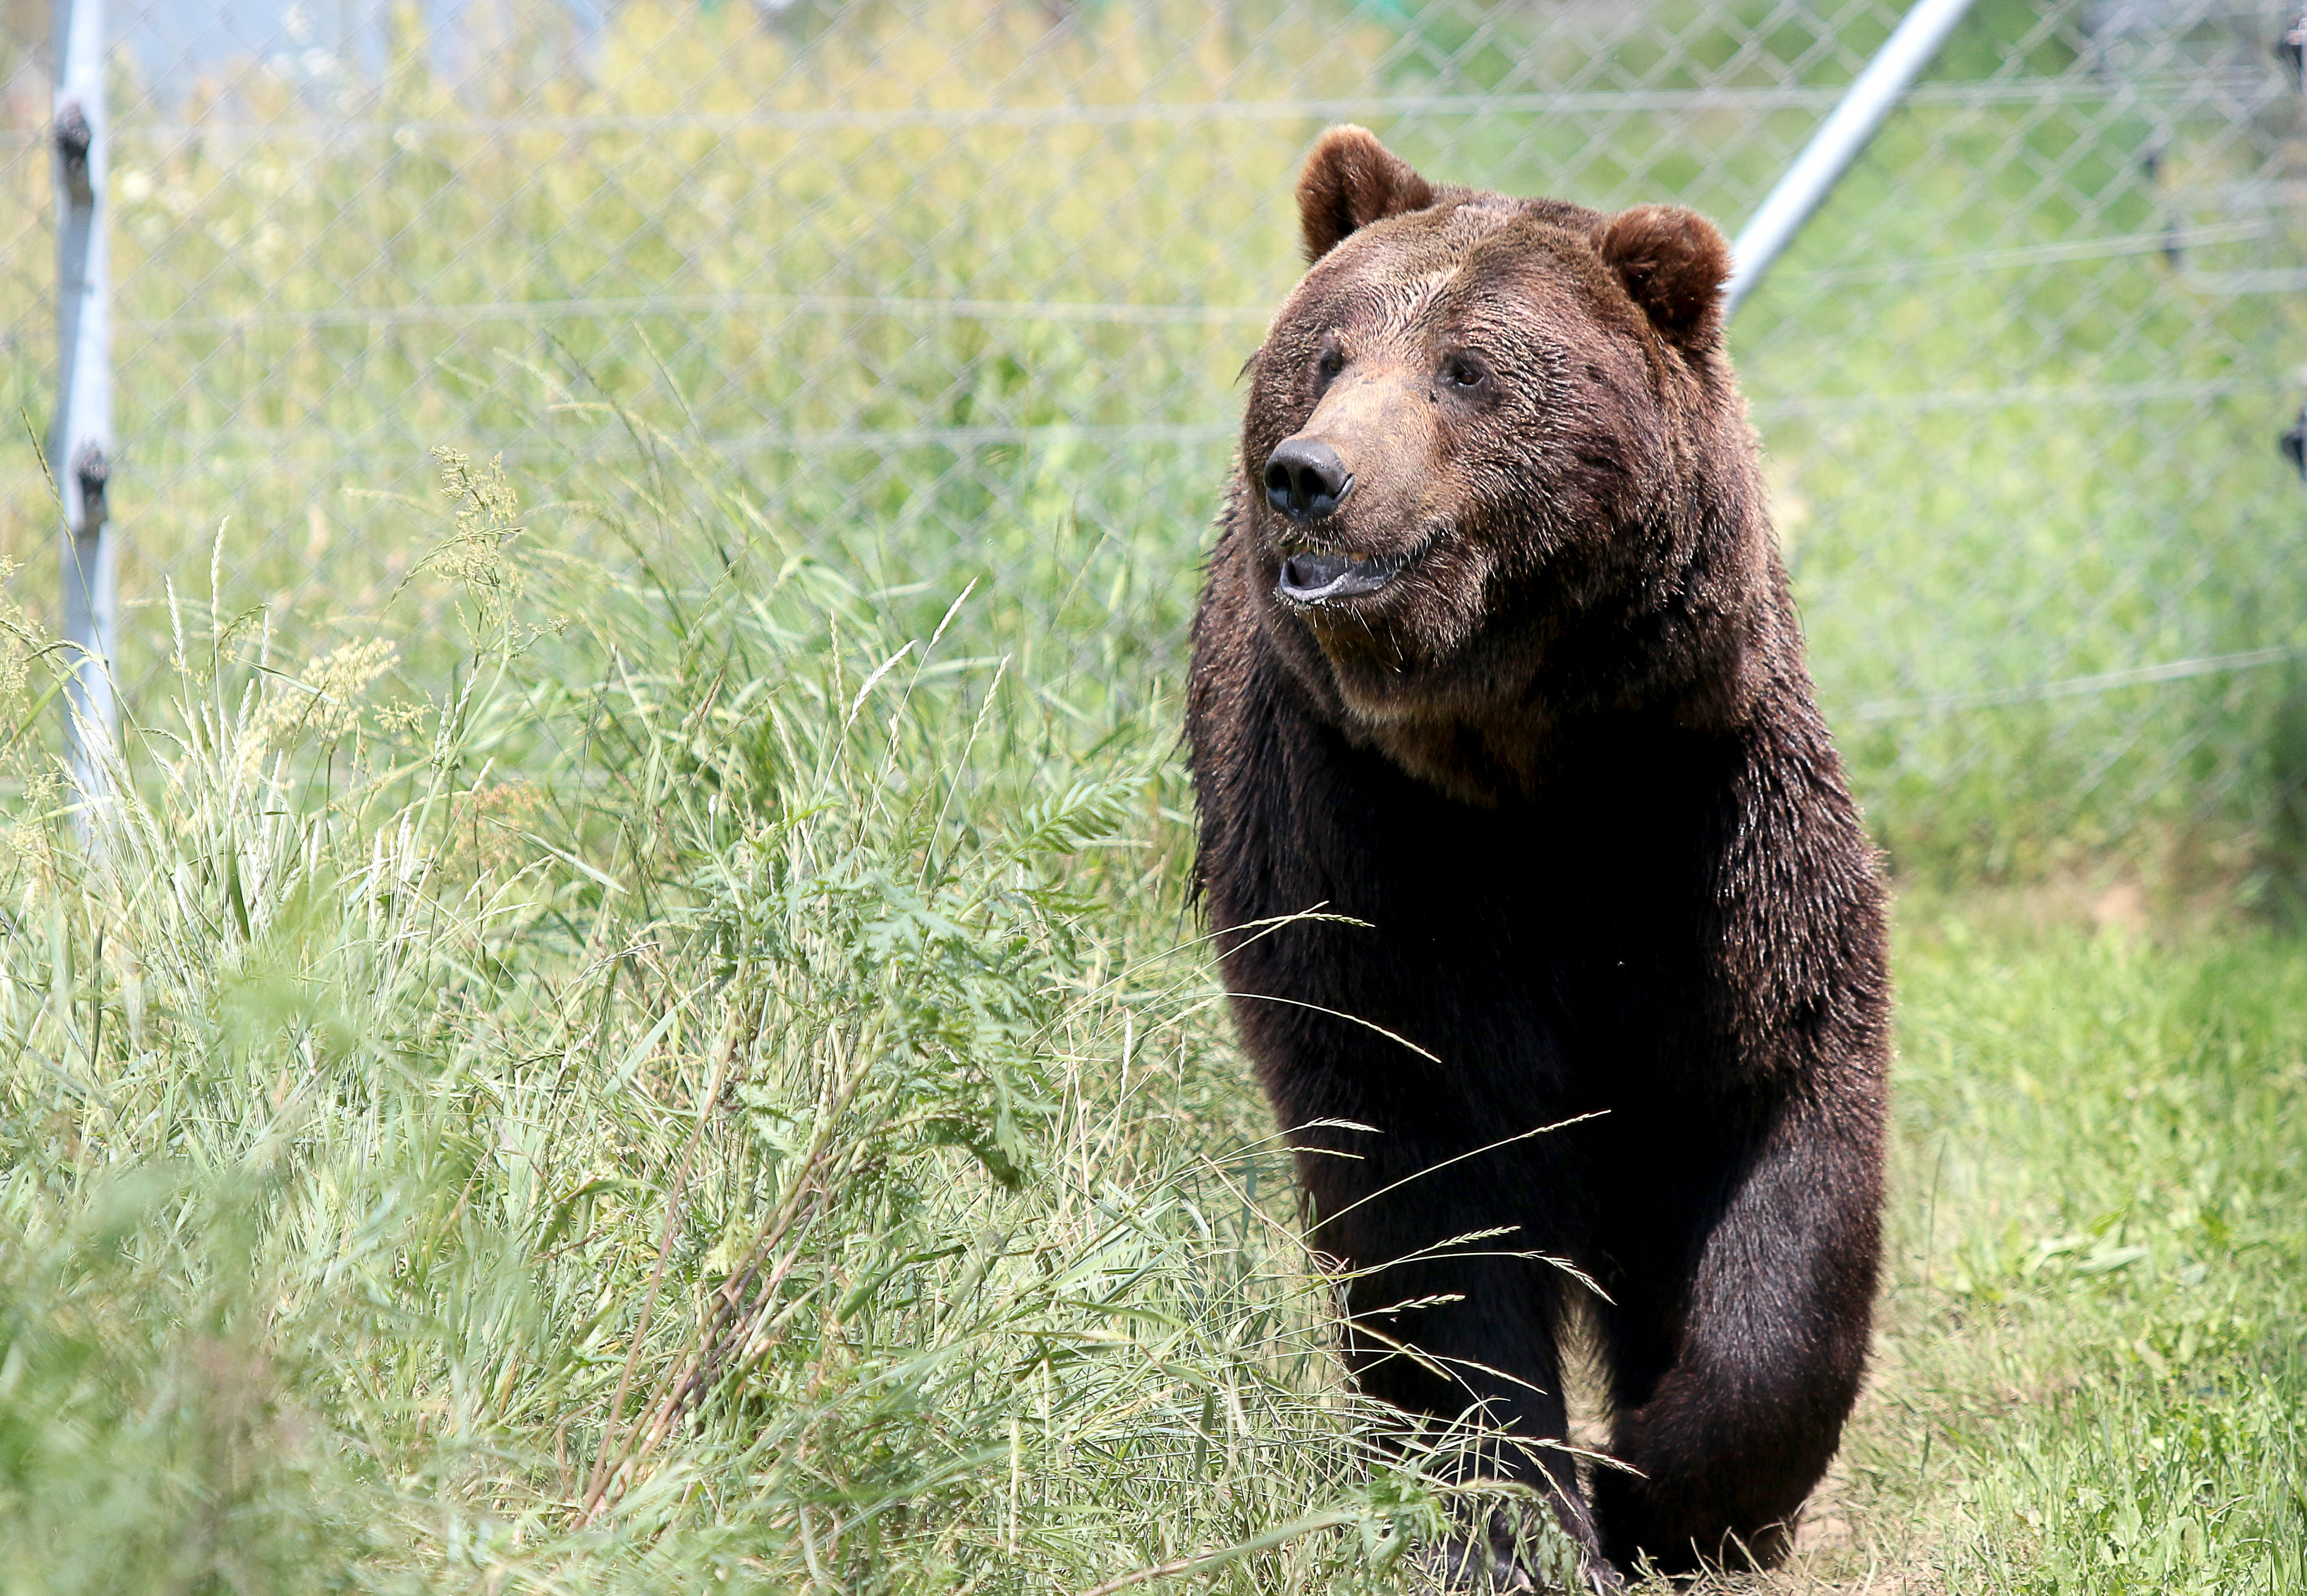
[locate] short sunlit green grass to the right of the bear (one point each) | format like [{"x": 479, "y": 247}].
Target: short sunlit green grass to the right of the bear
[{"x": 2091, "y": 1369}]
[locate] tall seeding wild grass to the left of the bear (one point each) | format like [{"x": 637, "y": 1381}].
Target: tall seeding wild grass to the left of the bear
[{"x": 670, "y": 1101}]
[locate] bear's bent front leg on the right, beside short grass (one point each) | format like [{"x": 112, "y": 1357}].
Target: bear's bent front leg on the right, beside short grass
[{"x": 1736, "y": 1371}]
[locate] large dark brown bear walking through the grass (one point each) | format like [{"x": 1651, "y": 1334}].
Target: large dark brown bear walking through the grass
[{"x": 1517, "y": 808}]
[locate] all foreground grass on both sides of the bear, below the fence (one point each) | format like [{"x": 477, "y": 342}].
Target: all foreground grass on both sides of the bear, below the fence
[{"x": 716, "y": 1090}]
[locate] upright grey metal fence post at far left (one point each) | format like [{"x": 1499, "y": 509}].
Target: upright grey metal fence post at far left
[{"x": 82, "y": 439}]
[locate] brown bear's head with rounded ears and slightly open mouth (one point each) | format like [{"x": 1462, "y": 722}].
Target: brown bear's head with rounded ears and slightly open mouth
[{"x": 1496, "y": 472}]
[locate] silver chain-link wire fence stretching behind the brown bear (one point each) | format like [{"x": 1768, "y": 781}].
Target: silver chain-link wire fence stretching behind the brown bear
[{"x": 963, "y": 287}]
